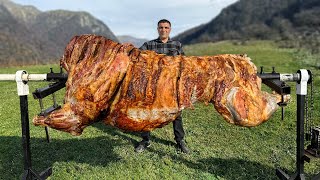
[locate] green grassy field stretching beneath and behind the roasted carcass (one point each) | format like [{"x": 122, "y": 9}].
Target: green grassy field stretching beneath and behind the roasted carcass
[{"x": 219, "y": 150}]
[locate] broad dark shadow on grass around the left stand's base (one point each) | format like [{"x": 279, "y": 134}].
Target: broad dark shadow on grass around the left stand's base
[{"x": 96, "y": 151}]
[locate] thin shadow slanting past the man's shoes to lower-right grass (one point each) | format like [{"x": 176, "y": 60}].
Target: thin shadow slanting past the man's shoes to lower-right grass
[{"x": 225, "y": 168}]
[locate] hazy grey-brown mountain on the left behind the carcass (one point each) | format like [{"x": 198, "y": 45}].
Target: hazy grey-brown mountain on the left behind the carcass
[{"x": 30, "y": 36}]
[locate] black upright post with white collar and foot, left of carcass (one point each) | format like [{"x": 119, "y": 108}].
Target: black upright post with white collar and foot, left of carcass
[{"x": 23, "y": 91}]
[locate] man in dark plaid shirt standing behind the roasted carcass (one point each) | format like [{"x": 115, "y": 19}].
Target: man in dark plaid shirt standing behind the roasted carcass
[{"x": 164, "y": 45}]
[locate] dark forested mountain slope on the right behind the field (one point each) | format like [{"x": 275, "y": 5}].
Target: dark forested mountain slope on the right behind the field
[{"x": 260, "y": 19}]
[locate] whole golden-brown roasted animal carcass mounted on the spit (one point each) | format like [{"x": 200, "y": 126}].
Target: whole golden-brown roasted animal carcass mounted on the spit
[{"x": 141, "y": 90}]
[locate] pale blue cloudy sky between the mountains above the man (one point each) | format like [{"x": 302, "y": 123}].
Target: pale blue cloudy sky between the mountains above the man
[{"x": 139, "y": 18}]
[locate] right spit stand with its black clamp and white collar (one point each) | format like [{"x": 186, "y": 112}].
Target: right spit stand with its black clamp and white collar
[{"x": 302, "y": 78}]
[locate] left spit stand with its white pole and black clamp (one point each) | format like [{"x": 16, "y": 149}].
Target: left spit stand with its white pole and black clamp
[{"x": 22, "y": 77}]
